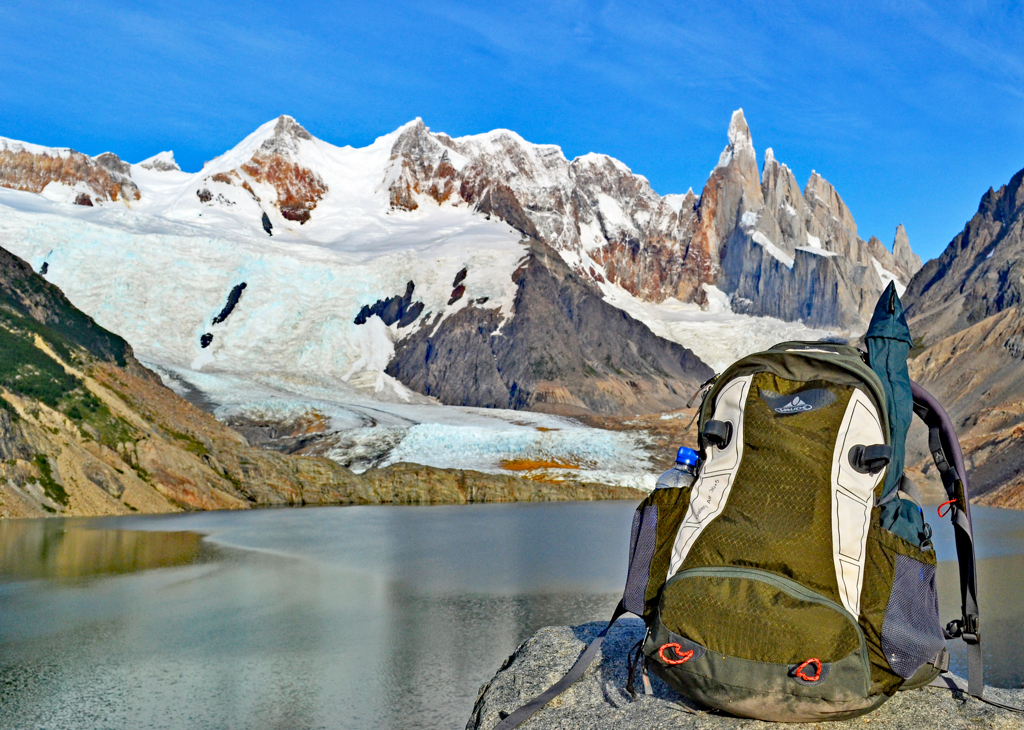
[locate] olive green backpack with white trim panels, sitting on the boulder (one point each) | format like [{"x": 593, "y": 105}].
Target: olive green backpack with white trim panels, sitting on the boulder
[{"x": 795, "y": 580}]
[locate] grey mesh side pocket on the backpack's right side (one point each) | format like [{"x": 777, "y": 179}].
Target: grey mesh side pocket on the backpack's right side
[{"x": 912, "y": 634}]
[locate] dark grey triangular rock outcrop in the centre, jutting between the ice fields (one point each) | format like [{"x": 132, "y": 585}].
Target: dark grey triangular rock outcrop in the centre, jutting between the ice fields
[{"x": 565, "y": 351}]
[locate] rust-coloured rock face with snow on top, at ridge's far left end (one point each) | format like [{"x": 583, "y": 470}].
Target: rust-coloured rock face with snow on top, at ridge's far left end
[{"x": 106, "y": 177}]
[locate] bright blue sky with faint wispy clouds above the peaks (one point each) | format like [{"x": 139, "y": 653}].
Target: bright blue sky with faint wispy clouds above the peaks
[{"x": 912, "y": 110}]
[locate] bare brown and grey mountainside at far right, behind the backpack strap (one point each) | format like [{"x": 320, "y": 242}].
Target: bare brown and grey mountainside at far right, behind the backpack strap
[{"x": 965, "y": 310}]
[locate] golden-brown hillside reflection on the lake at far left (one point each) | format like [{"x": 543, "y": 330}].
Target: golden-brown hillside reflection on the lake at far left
[{"x": 67, "y": 549}]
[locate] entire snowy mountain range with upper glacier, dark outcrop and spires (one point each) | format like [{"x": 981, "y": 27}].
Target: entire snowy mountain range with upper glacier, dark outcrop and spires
[{"x": 424, "y": 262}]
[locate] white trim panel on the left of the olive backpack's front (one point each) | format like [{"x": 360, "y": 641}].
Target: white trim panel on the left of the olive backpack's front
[{"x": 712, "y": 489}]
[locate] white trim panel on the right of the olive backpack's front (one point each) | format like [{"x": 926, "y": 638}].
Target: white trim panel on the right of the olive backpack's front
[{"x": 852, "y": 497}]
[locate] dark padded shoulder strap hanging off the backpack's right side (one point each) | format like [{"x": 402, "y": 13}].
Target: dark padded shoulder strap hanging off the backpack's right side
[{"x": 946, "y": 449}]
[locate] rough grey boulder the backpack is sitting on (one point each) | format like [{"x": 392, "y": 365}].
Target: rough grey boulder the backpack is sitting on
[{"x": 600, "y": 701}]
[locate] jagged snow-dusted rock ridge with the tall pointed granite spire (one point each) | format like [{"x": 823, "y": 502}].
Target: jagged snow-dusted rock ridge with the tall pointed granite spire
[{"x": 775, "y": 250}]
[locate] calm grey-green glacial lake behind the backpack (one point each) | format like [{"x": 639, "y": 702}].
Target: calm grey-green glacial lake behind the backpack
[{"x": 350, "y": 618}]
